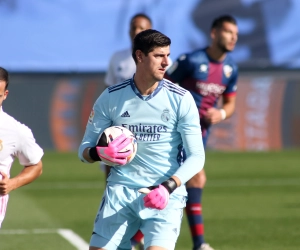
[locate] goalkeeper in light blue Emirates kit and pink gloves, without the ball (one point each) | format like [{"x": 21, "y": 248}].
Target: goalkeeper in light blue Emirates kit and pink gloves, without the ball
[{"x": 164, "y": 118}]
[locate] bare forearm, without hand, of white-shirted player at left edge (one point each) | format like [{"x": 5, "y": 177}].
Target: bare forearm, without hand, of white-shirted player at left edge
[{"x": 27, "y": 175}]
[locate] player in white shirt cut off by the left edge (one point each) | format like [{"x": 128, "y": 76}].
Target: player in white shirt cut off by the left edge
[{"x": 16, "y": 141}]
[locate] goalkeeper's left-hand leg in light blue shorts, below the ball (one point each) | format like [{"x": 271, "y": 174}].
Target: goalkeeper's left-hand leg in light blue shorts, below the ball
[{"x": 115, "y": 212}]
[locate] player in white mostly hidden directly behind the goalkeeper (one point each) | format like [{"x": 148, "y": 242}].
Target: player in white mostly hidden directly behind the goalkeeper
[{"x": 121, "y": 68}]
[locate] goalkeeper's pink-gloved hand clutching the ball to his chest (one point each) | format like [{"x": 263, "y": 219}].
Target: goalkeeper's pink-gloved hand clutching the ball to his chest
[{"x": 111, "y": 152}]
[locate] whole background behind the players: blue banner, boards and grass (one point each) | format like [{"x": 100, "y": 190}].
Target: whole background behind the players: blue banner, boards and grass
[{"x": 57, "y": 53}]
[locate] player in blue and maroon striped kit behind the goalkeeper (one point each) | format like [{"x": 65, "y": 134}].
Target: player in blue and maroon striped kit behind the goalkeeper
[{"x": 208, "y": 74}]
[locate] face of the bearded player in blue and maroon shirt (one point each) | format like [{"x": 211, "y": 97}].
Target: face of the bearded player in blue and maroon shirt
[{"x": 225, "y": 37}]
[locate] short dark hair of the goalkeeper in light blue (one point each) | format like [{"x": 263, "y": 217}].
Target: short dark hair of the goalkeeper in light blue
[{"x": 148, "y": 40}]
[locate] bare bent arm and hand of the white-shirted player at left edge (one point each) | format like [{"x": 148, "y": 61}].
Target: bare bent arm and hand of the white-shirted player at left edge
[{"x": 27, "y": 175}]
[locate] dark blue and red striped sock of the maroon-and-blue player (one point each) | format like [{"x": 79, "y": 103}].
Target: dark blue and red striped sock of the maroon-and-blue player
[{"x": 194, "y": 214}]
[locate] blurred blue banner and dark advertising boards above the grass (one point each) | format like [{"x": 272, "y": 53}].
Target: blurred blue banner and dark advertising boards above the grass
[{"x": 58, "y": 51}]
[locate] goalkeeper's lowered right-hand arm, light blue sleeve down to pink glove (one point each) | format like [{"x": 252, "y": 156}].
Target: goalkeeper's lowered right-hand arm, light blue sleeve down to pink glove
[{"x": 189, "y": 127}]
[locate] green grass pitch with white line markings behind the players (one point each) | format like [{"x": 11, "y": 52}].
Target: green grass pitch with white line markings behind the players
[{"x": 251, "y": 201}]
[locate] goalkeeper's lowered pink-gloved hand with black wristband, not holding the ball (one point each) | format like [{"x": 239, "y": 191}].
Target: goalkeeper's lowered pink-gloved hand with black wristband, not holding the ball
[{"x": 158, "y": 196}]
